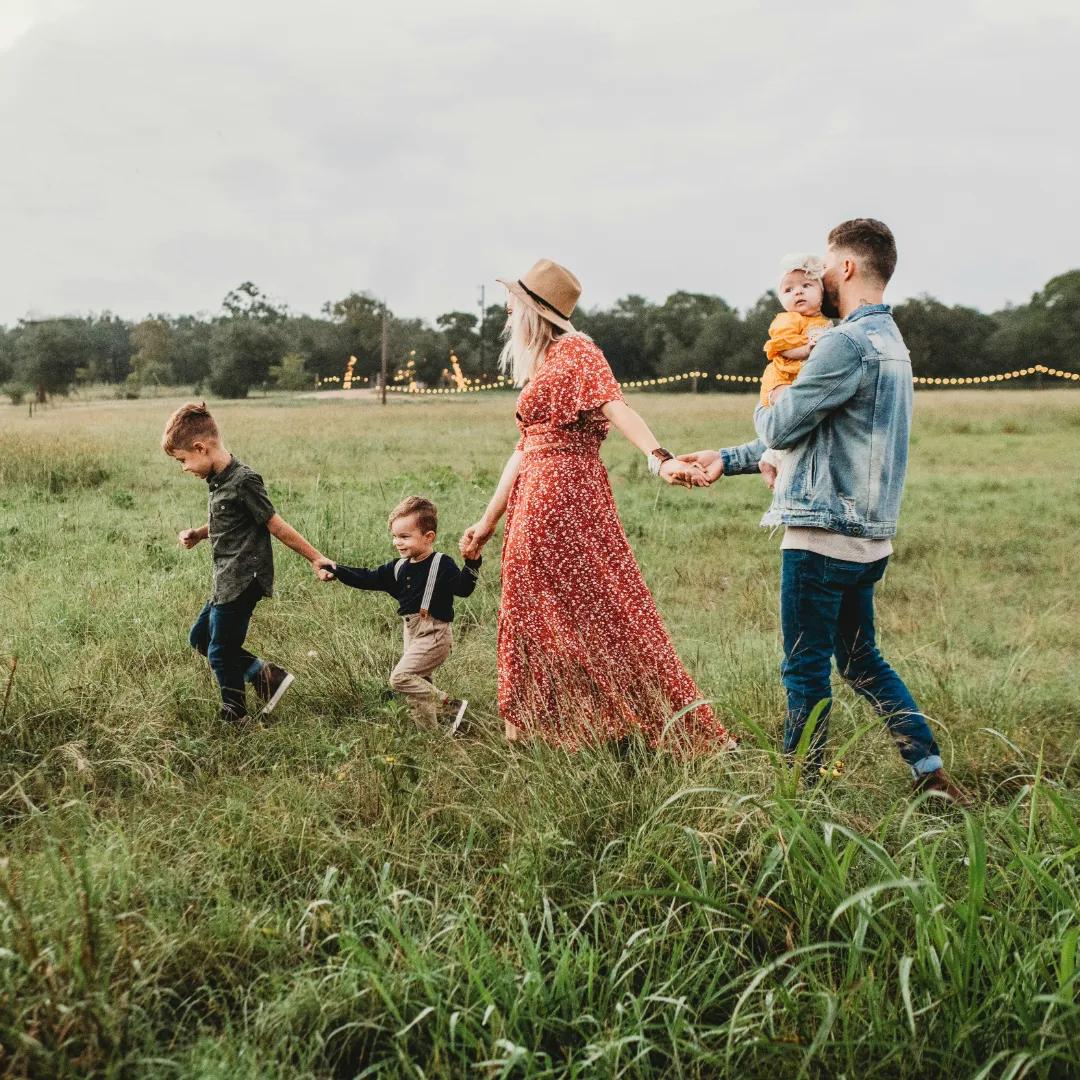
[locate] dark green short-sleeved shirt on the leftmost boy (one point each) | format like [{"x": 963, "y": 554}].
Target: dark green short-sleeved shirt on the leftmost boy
[{"x": 239, "y": 538}]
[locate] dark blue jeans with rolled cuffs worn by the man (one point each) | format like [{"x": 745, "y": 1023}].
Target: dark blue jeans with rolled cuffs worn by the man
[{"x": 827, "y": 610}]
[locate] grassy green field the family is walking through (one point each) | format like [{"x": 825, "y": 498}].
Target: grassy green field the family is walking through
[{"x": 335, "y": 895}]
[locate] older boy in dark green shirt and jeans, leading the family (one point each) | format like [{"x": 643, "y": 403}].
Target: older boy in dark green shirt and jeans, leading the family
[{"x": 241, "y": 521}]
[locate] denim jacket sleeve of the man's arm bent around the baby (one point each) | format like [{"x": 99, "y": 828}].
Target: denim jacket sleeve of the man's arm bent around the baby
[{"x": 829, "y": 379}]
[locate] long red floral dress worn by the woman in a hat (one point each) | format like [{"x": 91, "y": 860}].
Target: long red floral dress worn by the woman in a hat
[{"x": 584, "y": 655}]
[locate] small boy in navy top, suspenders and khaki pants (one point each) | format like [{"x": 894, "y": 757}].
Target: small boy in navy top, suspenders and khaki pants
[{"x": 425, "y": 584}]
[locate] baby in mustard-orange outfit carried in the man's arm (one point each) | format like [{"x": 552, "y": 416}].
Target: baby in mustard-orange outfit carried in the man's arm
[{"x": 793, "y": 334}]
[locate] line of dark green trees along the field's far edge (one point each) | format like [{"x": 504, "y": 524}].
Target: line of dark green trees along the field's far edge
[{"x": 256, "y": 344}]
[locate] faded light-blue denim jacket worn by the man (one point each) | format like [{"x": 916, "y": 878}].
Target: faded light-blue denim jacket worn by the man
[{"x": 846, "y": 422}]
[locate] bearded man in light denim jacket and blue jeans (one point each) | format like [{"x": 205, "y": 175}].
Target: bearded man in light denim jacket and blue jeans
[{"x": 846, "y": 422}]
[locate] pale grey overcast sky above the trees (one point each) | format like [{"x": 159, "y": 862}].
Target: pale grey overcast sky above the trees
[{"x": 158, "y": 155}]
